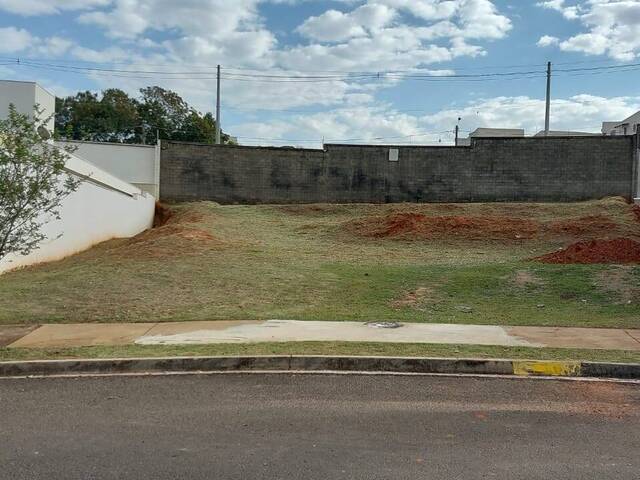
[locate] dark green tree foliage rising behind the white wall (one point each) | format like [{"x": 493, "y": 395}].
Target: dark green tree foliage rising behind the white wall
[{"x": 116, "y": 117}]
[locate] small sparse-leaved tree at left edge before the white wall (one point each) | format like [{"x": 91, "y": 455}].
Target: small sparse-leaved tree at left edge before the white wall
[{"x": 33, "y": 182}]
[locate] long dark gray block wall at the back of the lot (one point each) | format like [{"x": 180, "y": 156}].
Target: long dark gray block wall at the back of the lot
[{"x": 491, "y": 169}]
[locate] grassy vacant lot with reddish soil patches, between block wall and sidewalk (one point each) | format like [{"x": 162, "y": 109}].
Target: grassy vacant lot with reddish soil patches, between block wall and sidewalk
[{"x": 421, "y": 263}]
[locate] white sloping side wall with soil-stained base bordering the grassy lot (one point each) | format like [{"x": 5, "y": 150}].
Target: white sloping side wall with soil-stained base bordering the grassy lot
[{"x": 103, "y": 208}]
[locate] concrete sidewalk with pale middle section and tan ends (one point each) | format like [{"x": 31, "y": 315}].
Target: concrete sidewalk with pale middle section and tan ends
[{"x": 197, "y": 333}]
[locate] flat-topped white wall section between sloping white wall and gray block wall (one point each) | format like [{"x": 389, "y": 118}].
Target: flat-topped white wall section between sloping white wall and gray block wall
[{"x": 136, "y": 164}]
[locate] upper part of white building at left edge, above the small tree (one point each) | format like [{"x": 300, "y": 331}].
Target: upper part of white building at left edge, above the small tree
[{"x": 25, "y": 96}]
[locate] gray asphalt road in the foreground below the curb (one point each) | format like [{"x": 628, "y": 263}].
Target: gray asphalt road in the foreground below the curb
[{"x": 306, "y": 427}]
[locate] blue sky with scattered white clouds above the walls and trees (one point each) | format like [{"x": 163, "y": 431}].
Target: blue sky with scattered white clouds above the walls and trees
[{"x": 300, "y": 72}]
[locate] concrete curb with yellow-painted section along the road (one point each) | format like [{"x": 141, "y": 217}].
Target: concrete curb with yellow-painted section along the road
[{"x": 322, "y": 363}]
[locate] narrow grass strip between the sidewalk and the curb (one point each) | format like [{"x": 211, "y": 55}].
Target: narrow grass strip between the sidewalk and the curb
[{"x": 323, "y": 348}]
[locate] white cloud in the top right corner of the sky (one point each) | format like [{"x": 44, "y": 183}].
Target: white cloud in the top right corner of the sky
[{"x": 612, "y": 27}]
